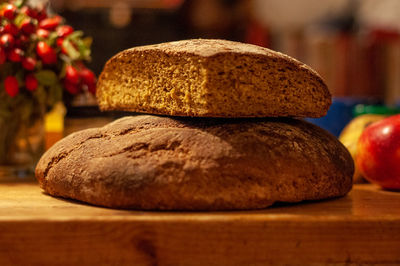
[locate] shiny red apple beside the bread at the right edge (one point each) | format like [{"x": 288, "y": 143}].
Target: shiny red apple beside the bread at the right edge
[{"x": 378, "y": 153}]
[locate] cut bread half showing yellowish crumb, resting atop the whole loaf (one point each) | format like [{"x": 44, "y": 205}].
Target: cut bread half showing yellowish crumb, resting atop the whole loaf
[{"x": 211, "y": 78}]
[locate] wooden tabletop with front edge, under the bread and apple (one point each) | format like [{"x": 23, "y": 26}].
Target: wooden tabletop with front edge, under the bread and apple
[{"x": 361, "y": 228}]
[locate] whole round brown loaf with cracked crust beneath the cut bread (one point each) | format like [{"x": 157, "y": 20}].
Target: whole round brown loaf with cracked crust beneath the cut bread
[{"x": 160, "y": 163}]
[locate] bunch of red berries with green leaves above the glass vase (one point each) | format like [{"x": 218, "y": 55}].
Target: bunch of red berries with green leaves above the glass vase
[{"x": 40, "y": 57}]
